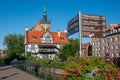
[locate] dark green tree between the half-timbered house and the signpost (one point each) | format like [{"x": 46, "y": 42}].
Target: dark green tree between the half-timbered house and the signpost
[{"x": 69, "y": 49}]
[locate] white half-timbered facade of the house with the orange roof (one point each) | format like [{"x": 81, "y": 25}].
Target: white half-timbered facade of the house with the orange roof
[{"x": 35, "y": 49}]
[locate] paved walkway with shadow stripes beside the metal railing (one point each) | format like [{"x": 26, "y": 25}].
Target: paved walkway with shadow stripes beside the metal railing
[{"x": 10, "y": 73}]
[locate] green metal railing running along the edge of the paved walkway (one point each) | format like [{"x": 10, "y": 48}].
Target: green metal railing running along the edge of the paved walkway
[{"x": 42, "y": 72}]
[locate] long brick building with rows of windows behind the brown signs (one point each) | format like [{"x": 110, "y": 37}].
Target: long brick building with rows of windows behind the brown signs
[{"x": 110, "y": 44}]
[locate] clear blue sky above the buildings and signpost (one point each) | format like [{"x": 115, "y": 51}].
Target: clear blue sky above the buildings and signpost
[{"x": 16, "y": 14}]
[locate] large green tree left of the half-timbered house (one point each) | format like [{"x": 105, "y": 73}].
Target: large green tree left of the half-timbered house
[{"x": 14, "y": 46}]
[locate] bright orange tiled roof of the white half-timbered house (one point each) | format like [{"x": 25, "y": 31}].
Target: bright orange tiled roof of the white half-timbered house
[{"x": 62, "y": 39}]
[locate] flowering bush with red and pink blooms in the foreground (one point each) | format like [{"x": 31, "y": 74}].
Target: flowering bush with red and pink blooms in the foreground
[{"x": 76, "y": 69}]
